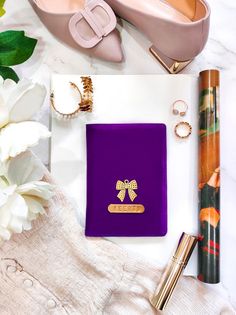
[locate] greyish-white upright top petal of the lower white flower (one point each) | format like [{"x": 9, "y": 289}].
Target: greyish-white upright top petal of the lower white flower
[{"x": 24, "y": 168}]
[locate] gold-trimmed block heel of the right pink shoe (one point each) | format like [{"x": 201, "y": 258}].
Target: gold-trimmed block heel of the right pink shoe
[{"x": 171, "y": 65}]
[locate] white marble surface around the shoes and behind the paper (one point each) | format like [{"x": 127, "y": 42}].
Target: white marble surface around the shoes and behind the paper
[{"x": 220, "y": 52}]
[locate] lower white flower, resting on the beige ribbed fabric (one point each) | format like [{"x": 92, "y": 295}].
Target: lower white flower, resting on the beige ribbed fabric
[{"x": 23, "y": 194}]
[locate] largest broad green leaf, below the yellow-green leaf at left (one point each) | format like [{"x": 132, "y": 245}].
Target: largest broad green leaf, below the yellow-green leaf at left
[{"x": 15, "y": 47}]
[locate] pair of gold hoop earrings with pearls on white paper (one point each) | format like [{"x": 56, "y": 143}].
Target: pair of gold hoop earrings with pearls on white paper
[{"x": 86, "y": 103}]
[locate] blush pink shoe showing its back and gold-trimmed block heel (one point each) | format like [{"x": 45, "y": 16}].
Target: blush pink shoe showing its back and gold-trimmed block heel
[{"x": 178, "y": 29}]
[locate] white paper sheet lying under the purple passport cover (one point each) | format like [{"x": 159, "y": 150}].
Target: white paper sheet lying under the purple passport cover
[{"x": 130, "y": 99}]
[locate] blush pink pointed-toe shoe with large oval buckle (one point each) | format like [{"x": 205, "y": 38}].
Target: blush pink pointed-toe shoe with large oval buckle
[{"x": 86, "y": 25}]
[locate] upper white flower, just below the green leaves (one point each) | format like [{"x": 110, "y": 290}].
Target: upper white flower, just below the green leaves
[{"x": 18, "y": 103}]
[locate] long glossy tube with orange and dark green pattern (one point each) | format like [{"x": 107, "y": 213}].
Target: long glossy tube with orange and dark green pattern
[{"x": 209, "y": 178}]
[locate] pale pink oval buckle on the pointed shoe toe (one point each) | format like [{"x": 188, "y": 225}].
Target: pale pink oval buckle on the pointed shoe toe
[{"x": 88, "y": 15}]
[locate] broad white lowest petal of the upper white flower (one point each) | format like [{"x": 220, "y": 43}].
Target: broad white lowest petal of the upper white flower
[{"x": 16, "y": 138}]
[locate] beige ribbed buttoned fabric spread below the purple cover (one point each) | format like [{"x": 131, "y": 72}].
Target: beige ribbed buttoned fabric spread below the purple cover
[{"x": 54, "y": 269}]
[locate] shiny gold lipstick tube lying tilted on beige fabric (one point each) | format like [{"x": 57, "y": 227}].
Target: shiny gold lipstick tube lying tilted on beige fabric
[{"x": 173, "y": 271}]
